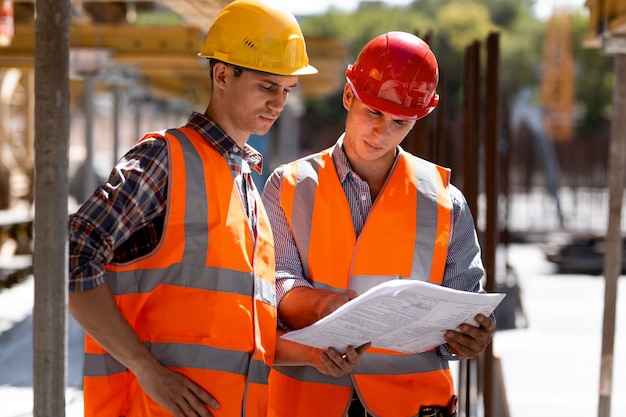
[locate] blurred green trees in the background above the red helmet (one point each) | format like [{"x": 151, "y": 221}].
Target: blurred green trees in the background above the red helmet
[{"x": 451, "y": 26}]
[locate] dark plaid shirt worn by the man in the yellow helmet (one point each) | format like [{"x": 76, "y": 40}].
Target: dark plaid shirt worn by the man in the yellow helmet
[{"x": 133, "y": 201}]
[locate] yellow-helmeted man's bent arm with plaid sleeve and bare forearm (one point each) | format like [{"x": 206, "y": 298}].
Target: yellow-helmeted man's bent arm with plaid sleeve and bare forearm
[{"x": 133, "y": 197}]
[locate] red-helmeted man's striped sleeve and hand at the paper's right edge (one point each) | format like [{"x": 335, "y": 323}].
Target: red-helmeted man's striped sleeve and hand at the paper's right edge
[{"x": 464, "y": 271}]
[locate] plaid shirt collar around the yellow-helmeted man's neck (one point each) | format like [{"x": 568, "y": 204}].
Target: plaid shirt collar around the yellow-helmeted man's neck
[{"x": 223, "y": 143}]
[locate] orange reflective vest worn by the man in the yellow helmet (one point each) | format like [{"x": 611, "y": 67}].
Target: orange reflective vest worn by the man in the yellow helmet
[{"x": 203, "y": 301}]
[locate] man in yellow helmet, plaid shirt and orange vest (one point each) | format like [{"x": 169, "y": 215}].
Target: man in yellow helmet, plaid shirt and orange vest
[{"x": 172, "y": 260}]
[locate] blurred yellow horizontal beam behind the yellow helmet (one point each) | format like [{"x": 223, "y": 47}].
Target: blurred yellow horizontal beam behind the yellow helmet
[{"x": 167, "y": 56}]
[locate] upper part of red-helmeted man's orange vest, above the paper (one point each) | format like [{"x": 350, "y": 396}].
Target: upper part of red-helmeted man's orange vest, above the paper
[{"x": 420, "y": 254}]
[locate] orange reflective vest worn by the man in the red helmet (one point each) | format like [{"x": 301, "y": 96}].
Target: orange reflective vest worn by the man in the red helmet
[{"x": 406, "y": 234}]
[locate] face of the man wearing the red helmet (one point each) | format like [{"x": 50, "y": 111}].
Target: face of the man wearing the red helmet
[{"x": 372, "y": 136}]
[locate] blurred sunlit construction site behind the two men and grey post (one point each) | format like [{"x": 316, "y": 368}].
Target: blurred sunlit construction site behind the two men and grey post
[{"x": 134, "y": 69}]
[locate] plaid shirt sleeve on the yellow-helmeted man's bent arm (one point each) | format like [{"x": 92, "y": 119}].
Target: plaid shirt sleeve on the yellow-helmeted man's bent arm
[{"x": 132, "y": 198}]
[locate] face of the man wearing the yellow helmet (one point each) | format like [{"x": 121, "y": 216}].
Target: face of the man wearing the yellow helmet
[{"x": 249, "y": 103}]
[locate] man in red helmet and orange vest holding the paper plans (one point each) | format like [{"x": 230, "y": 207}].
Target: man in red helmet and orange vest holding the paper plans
[{"x": 357, "y": 214}]
